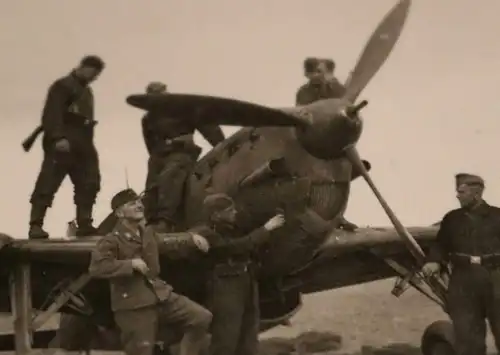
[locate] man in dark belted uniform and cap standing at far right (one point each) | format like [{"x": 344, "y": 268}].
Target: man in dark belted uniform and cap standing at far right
[{"x": 468, "y": 240}]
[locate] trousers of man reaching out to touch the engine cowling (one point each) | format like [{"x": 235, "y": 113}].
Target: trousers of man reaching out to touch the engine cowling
[{"x": 234, "y": 302}]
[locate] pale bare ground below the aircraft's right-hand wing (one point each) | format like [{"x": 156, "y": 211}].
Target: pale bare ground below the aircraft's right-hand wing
[{"x": 364, "y": 319}]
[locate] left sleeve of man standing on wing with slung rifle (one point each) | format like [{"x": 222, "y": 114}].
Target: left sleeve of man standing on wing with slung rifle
[{"x": 54, "y": 111}]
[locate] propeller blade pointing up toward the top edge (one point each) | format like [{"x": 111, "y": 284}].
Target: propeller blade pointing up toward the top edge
[{"x": 377, "y": 49}]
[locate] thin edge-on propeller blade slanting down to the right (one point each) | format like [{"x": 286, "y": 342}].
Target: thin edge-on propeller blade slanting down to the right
[{"x": 413, "y": 246}]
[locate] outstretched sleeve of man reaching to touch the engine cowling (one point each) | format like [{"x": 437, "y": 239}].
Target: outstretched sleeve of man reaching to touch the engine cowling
[{"x": 227, "y": 247}]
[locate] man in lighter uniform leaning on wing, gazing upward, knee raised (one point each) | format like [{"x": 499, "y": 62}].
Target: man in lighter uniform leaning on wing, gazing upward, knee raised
[{"x": 140, "y": 300}]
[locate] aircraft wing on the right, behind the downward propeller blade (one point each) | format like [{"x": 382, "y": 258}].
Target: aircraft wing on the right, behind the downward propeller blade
[{"x": 368, "y": 254}]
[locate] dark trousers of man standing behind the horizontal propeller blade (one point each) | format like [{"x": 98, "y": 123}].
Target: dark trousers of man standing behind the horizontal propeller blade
[{"x": 165, "y": 182}]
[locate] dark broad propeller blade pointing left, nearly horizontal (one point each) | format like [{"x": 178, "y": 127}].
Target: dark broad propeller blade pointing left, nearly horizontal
[{"x": 201, "y": 109}]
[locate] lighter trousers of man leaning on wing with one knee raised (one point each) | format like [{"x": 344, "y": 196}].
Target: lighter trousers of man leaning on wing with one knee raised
[{"x": 176, "y": 318}]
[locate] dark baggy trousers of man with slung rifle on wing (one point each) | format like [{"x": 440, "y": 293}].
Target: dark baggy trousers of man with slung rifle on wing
[{"x": 82, "y": 166}]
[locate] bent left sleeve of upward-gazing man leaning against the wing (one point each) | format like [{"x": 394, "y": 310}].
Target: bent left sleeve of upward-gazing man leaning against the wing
[{"x": 104, "y": 263}]
